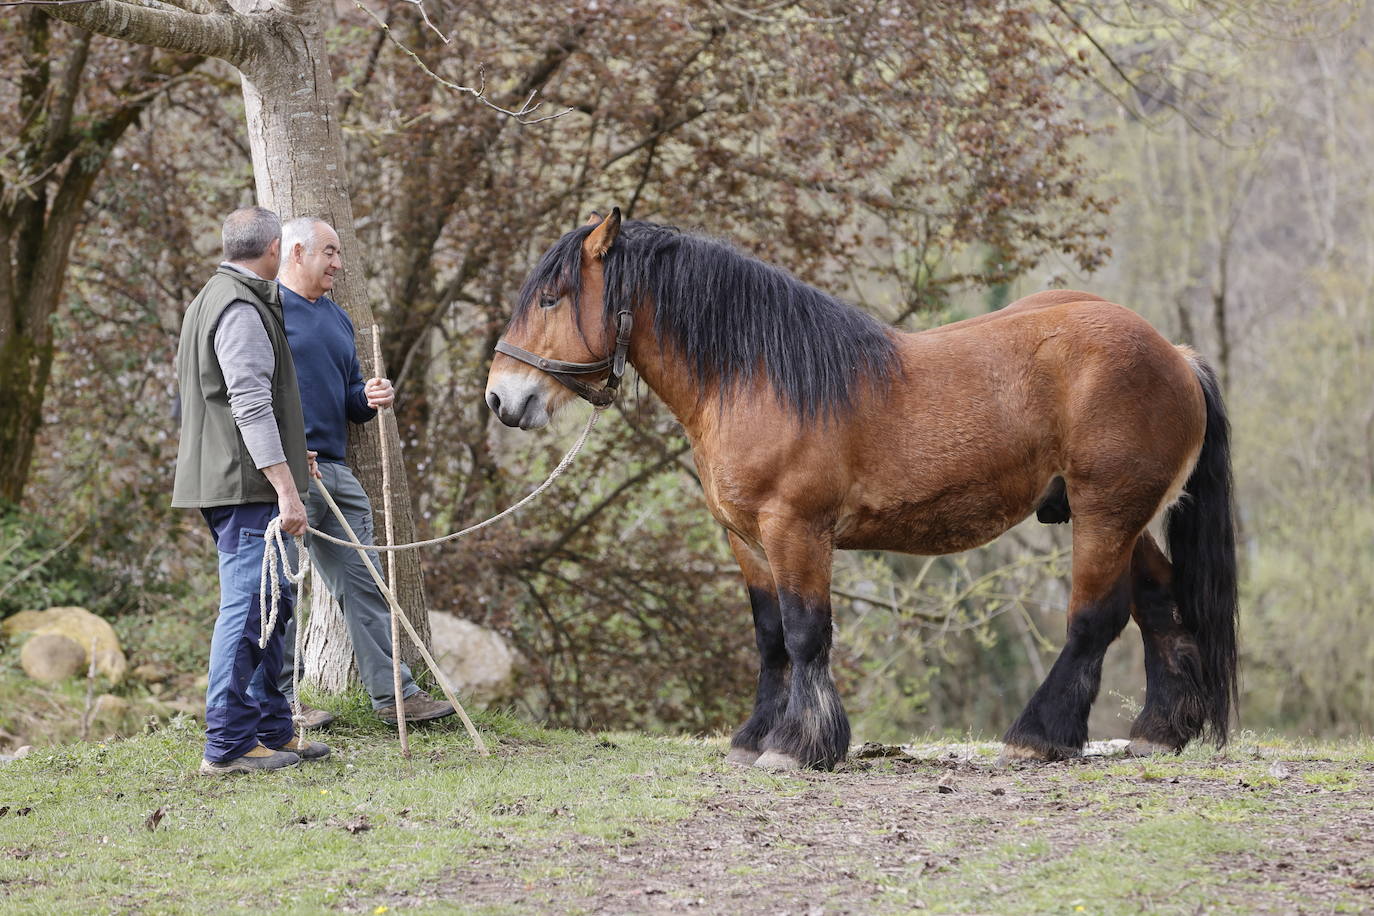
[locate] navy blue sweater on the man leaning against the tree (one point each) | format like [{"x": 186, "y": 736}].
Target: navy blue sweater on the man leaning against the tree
[{"x": 321, "y": 337}]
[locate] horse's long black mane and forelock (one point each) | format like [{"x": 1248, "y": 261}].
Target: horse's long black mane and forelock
[{"x": 730, "y": 315}]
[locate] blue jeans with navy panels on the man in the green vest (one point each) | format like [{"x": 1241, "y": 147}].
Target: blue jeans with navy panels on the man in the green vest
[{"x": 243, "y": 704}]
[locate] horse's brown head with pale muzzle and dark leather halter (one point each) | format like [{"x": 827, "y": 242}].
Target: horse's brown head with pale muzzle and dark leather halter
[{"x": 560, "y": 337}]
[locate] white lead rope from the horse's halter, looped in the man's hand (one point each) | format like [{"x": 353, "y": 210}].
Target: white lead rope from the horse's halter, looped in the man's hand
[{"x": 274, "y": 553}]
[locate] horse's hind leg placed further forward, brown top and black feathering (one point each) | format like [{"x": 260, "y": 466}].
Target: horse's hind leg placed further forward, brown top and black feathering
[{"x": 1055, "y": 724}]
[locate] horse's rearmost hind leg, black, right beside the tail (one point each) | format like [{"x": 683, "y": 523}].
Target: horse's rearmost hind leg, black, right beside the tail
[{"x": 1174, "y": 696}]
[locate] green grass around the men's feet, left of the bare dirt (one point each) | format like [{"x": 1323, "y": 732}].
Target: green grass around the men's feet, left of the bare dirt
[{"x": 328, "y": 834}]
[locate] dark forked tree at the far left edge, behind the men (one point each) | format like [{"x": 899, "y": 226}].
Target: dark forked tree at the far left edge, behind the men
[{"x": 69, "y": 101}]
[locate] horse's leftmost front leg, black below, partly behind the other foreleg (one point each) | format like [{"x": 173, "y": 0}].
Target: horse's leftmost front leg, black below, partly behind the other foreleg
[{"x": 772, "y": 700}]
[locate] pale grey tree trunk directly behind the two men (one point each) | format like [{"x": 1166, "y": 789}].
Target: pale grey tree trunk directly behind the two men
[{"x": 300, "y": 171}]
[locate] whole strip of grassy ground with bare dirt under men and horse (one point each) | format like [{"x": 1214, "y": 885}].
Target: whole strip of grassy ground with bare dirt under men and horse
[{"x": 560, "y": 822}]
